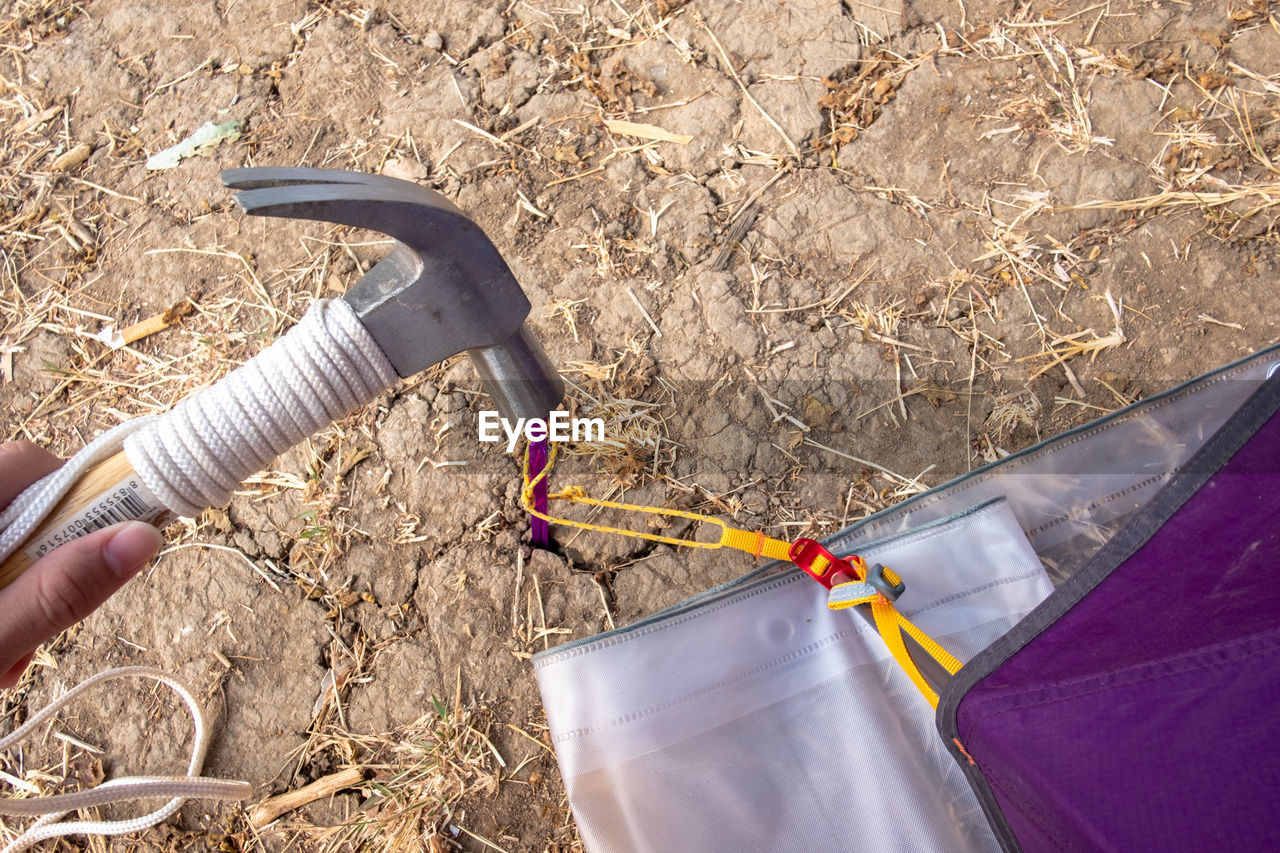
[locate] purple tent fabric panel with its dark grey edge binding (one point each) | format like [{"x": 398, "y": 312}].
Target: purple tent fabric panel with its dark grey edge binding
[{"x": 1137, "y": 709}]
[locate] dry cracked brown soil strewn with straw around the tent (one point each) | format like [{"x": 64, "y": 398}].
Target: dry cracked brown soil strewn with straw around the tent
[{"x": 804, "y": 257}]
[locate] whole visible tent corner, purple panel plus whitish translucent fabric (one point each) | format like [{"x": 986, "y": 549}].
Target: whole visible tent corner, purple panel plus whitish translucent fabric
[{"x": 1110, "y": 595}]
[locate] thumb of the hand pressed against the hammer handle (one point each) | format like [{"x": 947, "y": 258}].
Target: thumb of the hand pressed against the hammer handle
[{"x": 67, "y": 585}]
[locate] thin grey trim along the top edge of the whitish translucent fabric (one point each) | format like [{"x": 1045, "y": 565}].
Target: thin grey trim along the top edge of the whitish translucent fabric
[{"x": 839, "y": 541}]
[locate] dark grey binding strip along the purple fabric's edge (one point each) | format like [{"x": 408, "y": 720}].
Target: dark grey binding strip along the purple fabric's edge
[{"x": 1217, "y": 453}]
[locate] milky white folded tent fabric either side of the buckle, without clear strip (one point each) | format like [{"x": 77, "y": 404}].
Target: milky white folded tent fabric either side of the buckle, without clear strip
[{"x": 765, "y": 722}]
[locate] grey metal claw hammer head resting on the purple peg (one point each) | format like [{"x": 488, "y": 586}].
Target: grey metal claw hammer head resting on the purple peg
[{"x": 444, "y": 288}]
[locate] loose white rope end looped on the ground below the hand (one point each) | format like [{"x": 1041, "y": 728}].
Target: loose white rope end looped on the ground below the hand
[{"x": 180, "y": 788}]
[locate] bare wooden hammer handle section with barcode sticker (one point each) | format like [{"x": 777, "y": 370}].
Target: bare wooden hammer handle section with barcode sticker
[{"x": 107, "y": 494}]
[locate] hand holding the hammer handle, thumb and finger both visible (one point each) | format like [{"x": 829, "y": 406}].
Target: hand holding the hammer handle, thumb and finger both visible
[{"x": 68, "y": 583}]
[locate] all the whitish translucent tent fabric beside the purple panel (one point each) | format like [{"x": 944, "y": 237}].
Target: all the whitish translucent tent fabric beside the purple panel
[{"x": 752, "y": 718}]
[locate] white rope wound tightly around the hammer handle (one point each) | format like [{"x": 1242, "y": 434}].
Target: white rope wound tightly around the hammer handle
[{"x": 196, "y": 455}]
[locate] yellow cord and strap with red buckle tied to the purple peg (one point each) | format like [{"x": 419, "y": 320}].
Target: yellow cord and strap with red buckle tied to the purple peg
[{"x": 812, "y": 558}]
